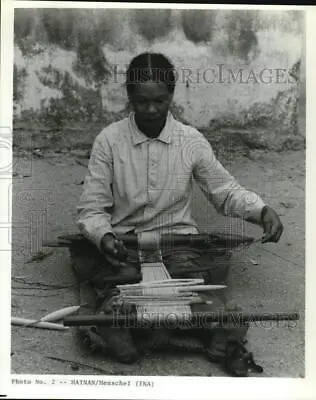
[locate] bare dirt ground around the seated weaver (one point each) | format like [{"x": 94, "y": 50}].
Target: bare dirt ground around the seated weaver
[{"x": 264, "y": 278}]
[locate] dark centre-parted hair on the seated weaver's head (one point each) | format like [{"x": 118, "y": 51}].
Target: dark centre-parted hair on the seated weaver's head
[{"x": 150, "y": 66}]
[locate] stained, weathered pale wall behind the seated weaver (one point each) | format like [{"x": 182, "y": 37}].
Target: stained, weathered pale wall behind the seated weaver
[{"x": 235, "y": 69}]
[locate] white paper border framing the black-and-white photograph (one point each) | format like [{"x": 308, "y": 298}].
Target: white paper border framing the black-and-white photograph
[{"x": 166, "y": 387}]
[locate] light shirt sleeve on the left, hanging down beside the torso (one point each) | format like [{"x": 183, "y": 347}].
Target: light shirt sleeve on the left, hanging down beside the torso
[{"x": 96, "y": 201}]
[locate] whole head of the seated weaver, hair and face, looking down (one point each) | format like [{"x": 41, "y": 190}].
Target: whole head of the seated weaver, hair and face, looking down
[{"x": 150, "y": 84}]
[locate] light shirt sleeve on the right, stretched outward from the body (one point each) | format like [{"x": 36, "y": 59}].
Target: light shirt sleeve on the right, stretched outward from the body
[{"x": 221, "y": 189}]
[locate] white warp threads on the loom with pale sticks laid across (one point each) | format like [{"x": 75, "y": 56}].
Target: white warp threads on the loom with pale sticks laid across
[{"x": 158, "y": 295}]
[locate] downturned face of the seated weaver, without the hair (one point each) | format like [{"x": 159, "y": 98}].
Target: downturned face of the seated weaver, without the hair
[{"x": 151, "y": 101}]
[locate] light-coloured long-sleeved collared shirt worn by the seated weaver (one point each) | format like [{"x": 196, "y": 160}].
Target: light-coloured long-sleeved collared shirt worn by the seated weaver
[{"x": 139, "y": 184}]
